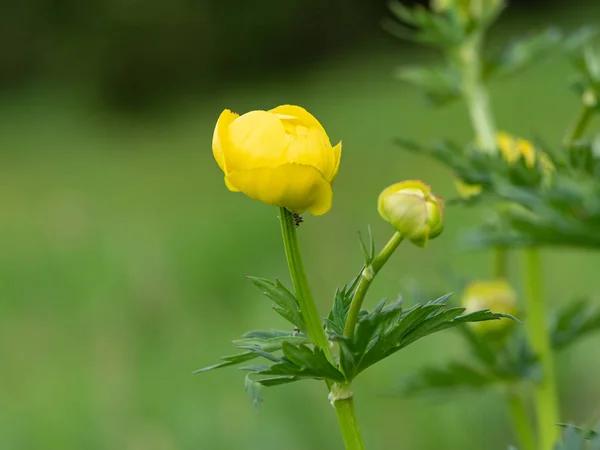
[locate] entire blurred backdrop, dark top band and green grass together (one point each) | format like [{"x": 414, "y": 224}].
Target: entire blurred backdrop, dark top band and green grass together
[{"x": 122, "y": 254}]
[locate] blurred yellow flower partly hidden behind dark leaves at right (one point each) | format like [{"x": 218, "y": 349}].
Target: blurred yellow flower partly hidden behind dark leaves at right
[{"x": 512, "y": 150}]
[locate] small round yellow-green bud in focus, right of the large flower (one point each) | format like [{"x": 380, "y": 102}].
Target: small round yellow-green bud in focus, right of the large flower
[{"x": 413, "y": 210}]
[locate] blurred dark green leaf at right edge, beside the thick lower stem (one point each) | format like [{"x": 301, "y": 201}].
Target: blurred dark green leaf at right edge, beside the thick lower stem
[{"x": 574, "y": 321}]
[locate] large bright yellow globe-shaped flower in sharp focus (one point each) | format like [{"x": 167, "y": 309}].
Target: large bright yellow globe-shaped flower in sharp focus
[{"x": 282, "y": 157}]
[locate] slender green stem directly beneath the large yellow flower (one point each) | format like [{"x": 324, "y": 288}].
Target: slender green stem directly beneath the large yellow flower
[{"x": 305, "y": 299}]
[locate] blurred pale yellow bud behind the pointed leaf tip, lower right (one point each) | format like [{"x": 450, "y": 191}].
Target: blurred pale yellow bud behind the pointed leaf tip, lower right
[{"x": 497, "y": 296}]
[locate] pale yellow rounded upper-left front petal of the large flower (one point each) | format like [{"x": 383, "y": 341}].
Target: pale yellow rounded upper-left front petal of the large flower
[{"x": 257, "y": 139}]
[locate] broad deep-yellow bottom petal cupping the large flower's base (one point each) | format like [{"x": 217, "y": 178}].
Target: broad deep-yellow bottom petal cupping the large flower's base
[{"x": 296, "y": 187}]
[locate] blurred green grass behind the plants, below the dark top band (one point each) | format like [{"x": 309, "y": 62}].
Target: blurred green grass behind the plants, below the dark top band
[{"x": 122, "y": 257}]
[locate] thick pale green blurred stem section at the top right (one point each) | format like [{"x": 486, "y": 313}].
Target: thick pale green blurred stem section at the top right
[{"x": 475, "y": 93}]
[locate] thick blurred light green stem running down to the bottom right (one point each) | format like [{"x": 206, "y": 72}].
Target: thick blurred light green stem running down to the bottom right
[{"x": 546, "y": 399}]
